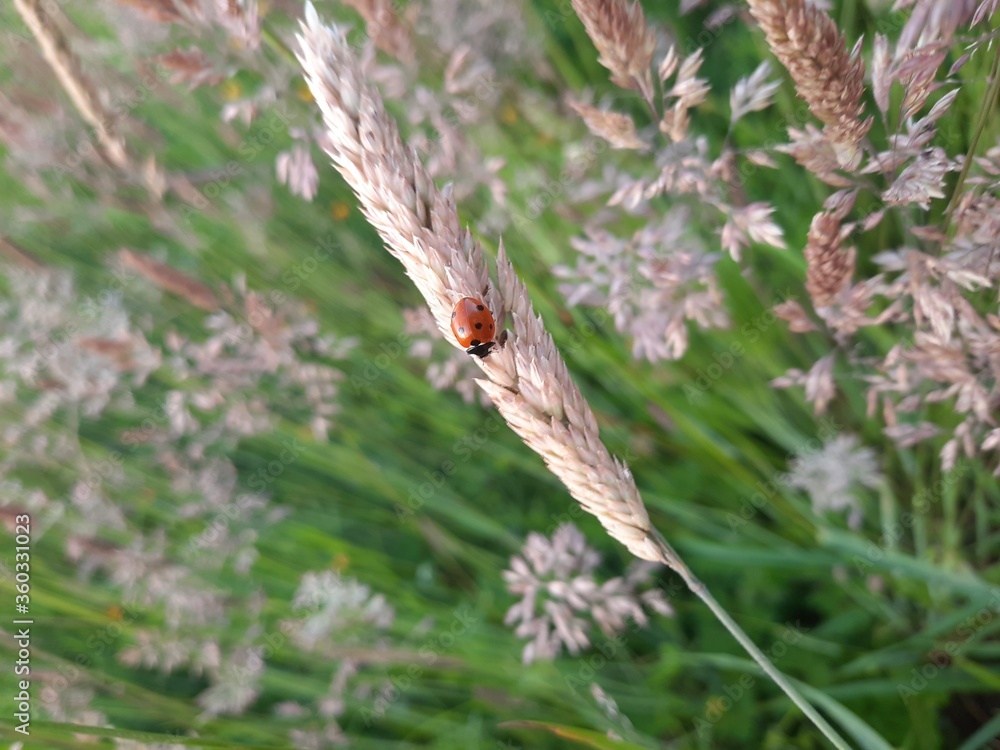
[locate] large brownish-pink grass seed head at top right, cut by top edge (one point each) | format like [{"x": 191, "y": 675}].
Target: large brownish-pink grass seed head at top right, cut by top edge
[{"x": 826, "y": 75}]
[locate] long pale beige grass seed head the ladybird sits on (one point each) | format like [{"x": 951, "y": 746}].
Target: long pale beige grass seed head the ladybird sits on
[{"x": 525, "y": 376}]
